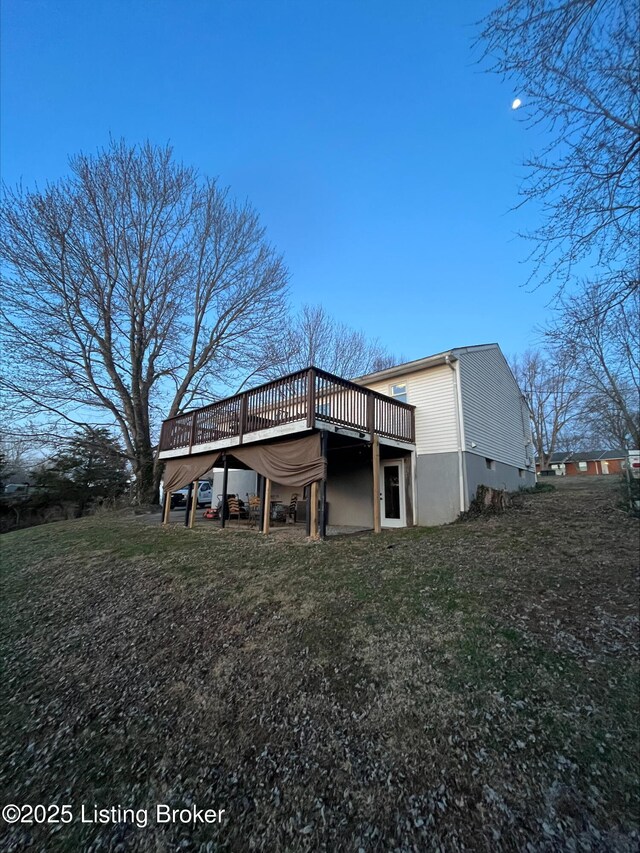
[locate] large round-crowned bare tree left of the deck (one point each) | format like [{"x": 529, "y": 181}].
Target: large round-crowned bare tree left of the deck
[{"x": 132, "y": 288}]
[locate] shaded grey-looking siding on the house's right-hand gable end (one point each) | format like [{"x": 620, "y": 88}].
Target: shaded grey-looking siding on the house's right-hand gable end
[{"x": 496, "y": 423}]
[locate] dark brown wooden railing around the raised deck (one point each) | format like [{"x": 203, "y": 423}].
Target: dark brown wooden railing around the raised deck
[{"x": 309, "y": 395}]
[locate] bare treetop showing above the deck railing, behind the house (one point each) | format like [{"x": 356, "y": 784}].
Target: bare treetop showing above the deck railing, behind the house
[{"x": 314, "y": 337}]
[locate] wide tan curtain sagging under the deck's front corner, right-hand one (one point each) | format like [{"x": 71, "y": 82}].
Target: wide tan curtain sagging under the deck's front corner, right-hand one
[{"x": 292, "y": 463}]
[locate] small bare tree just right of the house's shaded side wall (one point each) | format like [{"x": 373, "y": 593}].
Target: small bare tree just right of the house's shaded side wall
[{"x": 552, "y": 396}]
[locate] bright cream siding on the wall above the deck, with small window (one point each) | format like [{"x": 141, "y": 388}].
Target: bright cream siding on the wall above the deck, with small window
[{"x": 432, "y": 392}]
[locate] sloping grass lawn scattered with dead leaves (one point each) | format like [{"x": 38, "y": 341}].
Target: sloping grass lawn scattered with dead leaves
[{"x": 470, "y": 687}]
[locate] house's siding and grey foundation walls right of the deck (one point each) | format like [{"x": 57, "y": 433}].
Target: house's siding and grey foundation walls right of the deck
[{"x": 494, "y": 419}]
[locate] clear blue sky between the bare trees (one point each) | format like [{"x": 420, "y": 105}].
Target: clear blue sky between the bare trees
[{"x": 381, "y": 158}]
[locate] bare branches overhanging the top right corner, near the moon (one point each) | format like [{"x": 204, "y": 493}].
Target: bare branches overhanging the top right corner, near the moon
[{"x": 576, "y": 67}]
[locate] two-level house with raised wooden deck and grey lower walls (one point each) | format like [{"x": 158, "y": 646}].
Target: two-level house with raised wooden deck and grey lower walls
[{"x": 404, "y": 446}]
